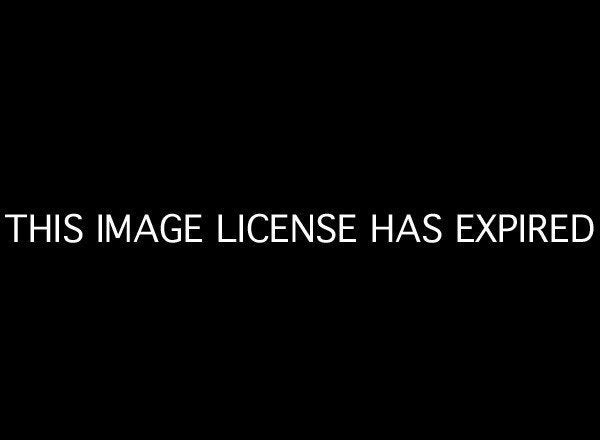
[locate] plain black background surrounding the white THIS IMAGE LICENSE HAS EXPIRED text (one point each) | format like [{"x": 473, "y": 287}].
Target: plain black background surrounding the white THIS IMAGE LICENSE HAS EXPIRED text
[{"x": 368, "y": 113}]
